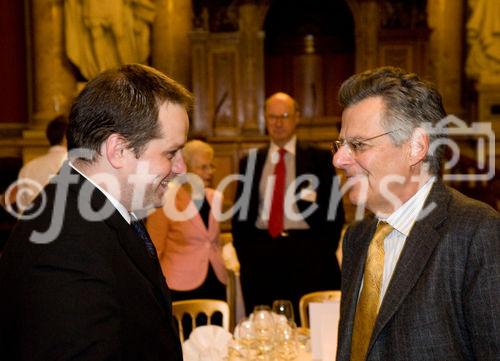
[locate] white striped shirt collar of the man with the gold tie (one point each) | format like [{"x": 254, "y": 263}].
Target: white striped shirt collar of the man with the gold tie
[{"x": 405, "y": 216}]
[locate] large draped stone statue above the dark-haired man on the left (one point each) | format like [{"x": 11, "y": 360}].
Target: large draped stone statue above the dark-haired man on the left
[{"x": 104, "y": 34}]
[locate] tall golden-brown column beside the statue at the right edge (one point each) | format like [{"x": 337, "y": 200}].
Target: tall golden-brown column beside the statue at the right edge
[{"x": 445, "y": 19}]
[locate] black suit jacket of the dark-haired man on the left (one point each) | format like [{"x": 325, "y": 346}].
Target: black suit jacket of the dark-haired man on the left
[{"x": 93, "y": 293}]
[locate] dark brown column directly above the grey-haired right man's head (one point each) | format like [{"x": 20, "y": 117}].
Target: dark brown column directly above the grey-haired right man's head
[{"x": 366, "y": 15}]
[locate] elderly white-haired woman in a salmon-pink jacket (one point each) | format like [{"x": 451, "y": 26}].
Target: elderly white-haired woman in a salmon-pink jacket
[{"x": 186, "y": 232}]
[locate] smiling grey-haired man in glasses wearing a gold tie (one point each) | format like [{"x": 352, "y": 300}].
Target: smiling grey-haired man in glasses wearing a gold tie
[{"x": 420, "y": 278}]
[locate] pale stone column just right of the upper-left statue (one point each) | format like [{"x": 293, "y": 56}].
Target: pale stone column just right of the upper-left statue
[{"x": 171, "y": 50}]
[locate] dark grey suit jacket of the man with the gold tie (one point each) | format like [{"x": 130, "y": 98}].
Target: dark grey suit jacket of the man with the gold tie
[{"x": 443, "y": 301}]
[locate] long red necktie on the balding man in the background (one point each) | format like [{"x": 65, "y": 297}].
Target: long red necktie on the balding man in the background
[{"x": 277, "y": 206}]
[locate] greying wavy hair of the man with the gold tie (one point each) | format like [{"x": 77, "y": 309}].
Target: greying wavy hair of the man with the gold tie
[{"x": 410, "y": 102}]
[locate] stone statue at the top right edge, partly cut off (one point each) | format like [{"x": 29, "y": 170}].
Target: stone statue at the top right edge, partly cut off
[{"x": 483, "y": 37}]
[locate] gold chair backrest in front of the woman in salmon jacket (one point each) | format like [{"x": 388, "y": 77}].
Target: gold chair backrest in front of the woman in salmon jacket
[{"x": 195, "y": 307}]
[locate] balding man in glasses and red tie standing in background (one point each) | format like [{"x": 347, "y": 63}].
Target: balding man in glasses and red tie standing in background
[{"x": 286, "y": 242}]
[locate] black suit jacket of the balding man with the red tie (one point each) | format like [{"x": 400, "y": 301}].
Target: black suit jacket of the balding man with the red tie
[{"x": 288, "y": 267}]
